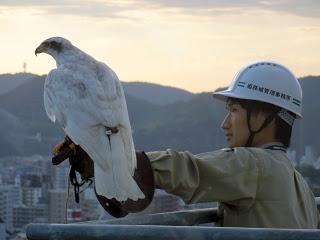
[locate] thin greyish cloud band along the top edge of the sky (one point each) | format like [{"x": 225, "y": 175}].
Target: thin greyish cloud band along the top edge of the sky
[{"x": 122, "y": 8}]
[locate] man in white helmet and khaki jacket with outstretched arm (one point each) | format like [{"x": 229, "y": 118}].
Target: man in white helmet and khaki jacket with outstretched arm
[{"x": 253, "y": 180}]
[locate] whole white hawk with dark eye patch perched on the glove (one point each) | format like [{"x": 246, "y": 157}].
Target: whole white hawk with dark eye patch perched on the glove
[{"x": 85, "y": 97}]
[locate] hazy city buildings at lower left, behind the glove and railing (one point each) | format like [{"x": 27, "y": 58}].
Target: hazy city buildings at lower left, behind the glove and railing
[{"x": 34, "y": 191}]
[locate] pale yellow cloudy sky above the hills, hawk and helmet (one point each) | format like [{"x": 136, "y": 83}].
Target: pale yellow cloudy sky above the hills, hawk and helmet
[{"x": 196, "y": 45}]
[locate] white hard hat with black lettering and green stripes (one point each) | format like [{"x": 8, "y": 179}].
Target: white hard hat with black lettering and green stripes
[{"x": 266, "y": 82}]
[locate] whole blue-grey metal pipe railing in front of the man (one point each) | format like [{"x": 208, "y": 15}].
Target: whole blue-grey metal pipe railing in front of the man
[{"x": 167, "y": 226}]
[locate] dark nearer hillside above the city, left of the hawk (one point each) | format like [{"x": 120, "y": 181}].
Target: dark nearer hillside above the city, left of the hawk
[{"x": 25, "y": 102}]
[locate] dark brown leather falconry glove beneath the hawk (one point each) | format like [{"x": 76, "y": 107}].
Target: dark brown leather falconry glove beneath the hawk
[{"x": 82, "y": 163}]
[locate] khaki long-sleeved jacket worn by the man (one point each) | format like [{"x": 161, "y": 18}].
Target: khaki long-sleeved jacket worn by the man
[{"x": 255, "y": 187}]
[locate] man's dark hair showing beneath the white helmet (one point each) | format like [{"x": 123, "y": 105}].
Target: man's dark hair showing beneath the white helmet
[{"x": 282, "y": 131}]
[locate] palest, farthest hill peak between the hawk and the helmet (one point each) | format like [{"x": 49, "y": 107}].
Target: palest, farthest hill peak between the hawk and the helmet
[{"x": 156, "y": 94}]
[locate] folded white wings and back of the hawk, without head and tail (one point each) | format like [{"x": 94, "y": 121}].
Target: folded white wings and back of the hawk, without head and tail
[{"x": 85, "y": 100}]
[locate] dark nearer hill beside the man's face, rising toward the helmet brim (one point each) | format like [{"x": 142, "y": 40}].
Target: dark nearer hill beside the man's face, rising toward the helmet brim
[{"x": 192, "y": 126}]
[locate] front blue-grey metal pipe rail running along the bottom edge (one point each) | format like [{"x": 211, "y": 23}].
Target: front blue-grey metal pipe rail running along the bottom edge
[{"x": 152, "y": 232}]
